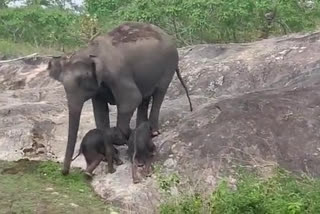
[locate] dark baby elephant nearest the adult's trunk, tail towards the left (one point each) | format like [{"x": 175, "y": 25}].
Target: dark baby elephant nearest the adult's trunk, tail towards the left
[{"x": 97, "y": 146}]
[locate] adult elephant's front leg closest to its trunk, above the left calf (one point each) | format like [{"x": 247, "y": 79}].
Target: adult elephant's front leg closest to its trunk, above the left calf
[{"x": 101, "y": 112}]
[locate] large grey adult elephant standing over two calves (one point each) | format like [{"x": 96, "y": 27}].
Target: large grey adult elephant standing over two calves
[{"x": 126, "y": 67}]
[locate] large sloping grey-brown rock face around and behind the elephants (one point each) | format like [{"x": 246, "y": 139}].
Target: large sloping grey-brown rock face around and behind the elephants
[{"x": 255, "y": 104}]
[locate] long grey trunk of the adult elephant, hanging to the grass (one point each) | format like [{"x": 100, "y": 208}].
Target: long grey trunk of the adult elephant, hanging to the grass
[{"x": 75, "y": 108}]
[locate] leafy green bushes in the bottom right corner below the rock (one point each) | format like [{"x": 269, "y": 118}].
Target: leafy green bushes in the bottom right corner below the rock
[{"x": 283, "y": 193}]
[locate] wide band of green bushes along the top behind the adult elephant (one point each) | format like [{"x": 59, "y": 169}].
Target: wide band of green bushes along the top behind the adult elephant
[{"x": 190, "y": 21}]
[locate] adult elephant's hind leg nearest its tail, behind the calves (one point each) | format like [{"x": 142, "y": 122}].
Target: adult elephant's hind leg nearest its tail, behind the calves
[{"x": 157, "y": 100}]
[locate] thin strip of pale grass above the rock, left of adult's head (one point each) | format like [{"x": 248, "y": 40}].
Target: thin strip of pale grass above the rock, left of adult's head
[{"x": 11, "y": 49}]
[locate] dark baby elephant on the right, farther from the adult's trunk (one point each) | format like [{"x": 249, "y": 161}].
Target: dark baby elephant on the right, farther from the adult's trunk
[{"x": 141, "y": 149}]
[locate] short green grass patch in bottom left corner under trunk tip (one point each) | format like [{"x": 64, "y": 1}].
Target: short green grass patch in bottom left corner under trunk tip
[{"x": 39, "y": 187}]
